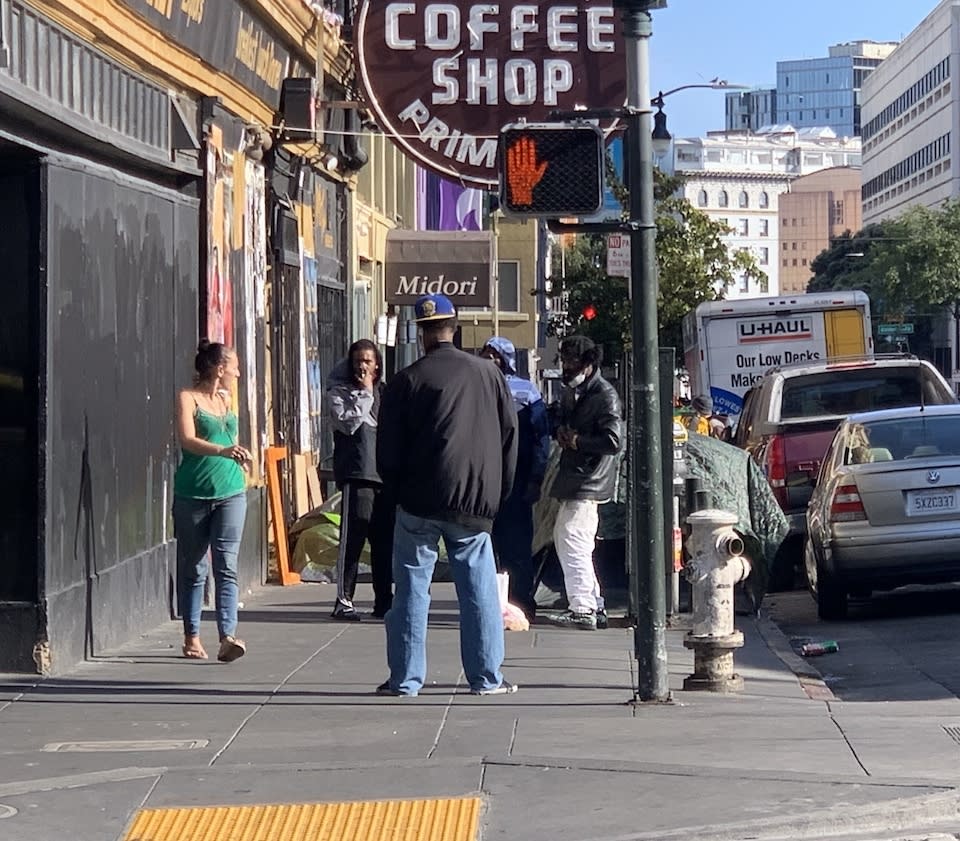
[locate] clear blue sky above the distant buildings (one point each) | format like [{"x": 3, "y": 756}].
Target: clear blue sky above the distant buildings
[{"x": 742, "y": 41}]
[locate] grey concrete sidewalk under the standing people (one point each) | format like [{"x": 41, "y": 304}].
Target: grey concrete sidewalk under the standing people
[{"x": 567, "y": 757}]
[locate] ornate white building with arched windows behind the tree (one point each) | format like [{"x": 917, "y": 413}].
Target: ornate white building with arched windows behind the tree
[{"x": 738, "y": 177}]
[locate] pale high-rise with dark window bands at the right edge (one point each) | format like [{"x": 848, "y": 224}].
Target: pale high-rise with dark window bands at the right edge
[{"x": 911, "y": 111}]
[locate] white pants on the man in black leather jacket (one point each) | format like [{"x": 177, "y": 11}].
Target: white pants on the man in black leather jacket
[{"x": 575, "y": 534}]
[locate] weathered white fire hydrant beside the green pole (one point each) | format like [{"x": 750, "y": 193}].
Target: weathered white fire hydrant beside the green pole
[{"x": 716, "y": 564}]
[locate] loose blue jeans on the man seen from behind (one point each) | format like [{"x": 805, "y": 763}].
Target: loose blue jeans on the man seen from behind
[{"x": 415, "y": 551}]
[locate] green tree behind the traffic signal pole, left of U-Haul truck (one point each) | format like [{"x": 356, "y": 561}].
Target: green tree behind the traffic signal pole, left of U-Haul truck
[{"x": 694, "y": 265}]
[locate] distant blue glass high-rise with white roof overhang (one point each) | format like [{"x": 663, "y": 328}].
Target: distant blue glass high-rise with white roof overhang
[{"x": 826, "y": 91}]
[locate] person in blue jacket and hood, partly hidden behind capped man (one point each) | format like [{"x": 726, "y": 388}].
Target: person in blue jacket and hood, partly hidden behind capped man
[{"x": 513, "y": 527}]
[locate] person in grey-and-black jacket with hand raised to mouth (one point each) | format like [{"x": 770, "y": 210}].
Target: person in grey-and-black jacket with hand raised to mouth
[{"x": 367, "y": 512}]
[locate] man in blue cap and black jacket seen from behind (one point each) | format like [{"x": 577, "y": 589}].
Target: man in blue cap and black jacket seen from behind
[{"x": 447, "y": 448}]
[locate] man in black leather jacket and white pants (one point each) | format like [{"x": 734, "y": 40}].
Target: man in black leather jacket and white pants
[{"x": 590, "y": 434}]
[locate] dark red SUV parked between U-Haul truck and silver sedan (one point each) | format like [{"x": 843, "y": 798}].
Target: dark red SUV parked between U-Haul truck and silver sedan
[{"x": 791, "y": 414}]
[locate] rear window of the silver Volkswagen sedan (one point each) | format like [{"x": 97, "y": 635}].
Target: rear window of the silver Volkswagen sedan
[{"x": 902, "y": 438}]
